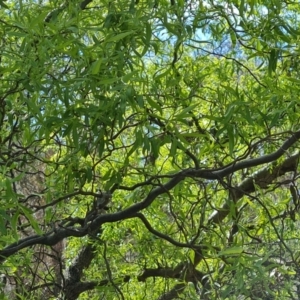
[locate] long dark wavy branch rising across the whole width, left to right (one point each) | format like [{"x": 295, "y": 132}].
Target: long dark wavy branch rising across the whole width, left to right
[{"x": 57, "y": 235}]
